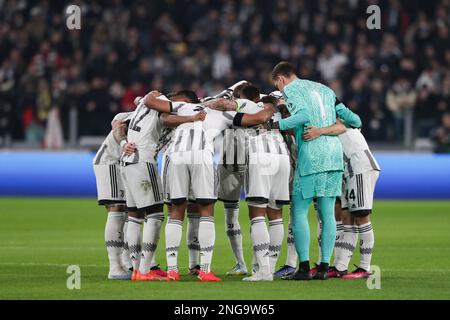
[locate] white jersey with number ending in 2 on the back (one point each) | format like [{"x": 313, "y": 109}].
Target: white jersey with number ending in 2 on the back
[{"x": 144, "y": 130}]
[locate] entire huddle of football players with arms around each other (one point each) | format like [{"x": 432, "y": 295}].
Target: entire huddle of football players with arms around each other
[{"x": 288, "y": 147}]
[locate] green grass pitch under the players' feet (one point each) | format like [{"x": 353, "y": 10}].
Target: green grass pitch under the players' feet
[{"x": 39, "y": 238}]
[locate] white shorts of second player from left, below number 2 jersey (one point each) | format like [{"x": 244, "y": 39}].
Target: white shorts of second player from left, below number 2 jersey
[{"x": 143, "y": 187}]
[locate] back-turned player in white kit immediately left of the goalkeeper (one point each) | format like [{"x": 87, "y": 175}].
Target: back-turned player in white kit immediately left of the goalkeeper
[{"x": 268, "y": 158}]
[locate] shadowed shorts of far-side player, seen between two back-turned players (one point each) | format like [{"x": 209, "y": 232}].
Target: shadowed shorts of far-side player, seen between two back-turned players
[{"x": 230, "y": 183}]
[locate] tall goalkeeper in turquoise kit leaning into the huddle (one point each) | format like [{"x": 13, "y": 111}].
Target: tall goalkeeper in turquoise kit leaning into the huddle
[{"x": 320, "y": 161}]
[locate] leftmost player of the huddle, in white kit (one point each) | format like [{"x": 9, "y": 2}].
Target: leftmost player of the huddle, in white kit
[{"x": 111, "y": 194}]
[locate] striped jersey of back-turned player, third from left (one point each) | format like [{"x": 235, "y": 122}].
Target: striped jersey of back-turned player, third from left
[{"x": 199, "y": 135}]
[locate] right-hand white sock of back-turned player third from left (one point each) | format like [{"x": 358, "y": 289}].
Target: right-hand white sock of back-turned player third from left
[{"x": 206, "y": 239}]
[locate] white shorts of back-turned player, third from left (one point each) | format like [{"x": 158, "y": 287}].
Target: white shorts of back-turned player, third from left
[{"x": 192, "y": 175}]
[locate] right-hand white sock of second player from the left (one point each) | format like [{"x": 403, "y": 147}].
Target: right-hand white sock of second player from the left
[{"x": 150, "y": 238}]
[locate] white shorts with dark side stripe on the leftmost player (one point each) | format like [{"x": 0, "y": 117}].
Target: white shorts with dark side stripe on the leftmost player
[{"x": 110, "y": 189}]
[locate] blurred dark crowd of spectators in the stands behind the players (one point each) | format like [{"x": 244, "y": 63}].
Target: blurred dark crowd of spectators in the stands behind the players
[{"x": 125, "y": 48}]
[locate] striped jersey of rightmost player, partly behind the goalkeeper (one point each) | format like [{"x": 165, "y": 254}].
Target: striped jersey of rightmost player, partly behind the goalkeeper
[{"x": 357, "y": 156}]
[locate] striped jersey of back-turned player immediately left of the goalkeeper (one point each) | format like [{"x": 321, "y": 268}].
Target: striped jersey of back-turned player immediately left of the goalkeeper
[{"x": 262, "y": 141}]
